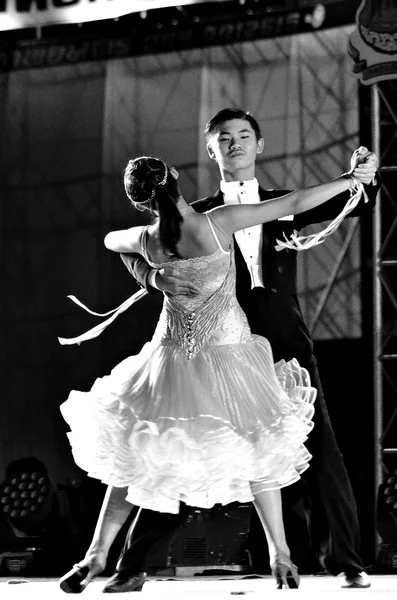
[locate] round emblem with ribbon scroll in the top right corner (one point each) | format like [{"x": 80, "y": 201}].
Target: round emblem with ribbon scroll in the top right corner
[{"x": 373, "y": 44}]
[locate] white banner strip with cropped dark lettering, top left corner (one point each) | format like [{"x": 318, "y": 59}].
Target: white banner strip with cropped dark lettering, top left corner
[{"x": 20, "y": 14}]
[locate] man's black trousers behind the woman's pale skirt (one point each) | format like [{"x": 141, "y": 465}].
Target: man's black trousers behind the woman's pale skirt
[{"x": 332, "y": 516}]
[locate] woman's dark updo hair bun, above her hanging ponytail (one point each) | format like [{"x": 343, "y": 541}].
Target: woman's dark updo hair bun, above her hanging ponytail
[{"x": 142, "y": 177}]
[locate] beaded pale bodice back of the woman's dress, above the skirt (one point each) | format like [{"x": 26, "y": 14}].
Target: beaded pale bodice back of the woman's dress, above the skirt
[{"x": 213, "y": 316}]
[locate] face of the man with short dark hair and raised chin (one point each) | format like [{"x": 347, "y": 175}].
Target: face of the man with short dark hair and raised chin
[{"x": 234, "y": 147}]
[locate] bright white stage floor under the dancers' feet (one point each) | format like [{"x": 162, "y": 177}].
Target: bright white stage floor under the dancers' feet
[{"x": 204, "y": 588}]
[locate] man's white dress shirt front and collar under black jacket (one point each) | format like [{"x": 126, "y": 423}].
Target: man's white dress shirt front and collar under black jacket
[{"x": 250, "y": 239}]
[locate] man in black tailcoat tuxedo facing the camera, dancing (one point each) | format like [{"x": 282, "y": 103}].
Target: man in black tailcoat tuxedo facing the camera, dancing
[{"x": 266, "y": 290}]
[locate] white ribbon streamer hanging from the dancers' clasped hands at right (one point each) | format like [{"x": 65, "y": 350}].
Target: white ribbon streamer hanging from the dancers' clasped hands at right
[{"x": 304, "y": 242}]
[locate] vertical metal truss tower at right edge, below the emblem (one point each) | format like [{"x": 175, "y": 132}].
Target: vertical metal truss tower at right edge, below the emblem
[{"x": 384, "y": 128}]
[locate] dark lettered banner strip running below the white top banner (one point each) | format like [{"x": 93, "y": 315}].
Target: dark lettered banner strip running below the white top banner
[{"x": 144, "y": 38}]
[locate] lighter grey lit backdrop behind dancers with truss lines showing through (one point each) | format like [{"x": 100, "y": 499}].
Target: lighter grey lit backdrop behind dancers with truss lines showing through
[{"x": 301, "y": 91}]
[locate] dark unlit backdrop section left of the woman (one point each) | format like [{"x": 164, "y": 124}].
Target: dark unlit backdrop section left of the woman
[{"x": 53, "y": 220}]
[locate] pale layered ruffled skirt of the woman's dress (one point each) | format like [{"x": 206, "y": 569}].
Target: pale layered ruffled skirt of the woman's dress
[{"x": 217, "y": 429}]
